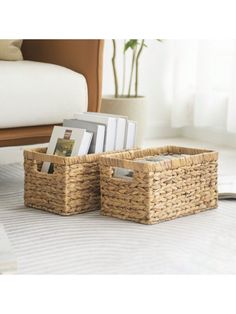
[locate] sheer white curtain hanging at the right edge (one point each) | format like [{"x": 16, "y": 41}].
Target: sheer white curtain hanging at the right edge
[{"x": 204, "y": 84}]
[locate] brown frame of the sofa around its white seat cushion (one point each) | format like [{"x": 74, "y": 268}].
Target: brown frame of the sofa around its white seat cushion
[{"x": 82, "y": 56}]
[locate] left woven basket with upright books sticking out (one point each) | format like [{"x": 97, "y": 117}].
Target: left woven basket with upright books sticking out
[{"x": 72, "y": 188}]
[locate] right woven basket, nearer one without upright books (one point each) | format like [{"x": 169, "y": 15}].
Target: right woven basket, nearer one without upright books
[{"x": 159, "y": 191}]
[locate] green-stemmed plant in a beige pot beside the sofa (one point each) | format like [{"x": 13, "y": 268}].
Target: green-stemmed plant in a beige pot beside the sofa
[{"x": 125, "y": 103}]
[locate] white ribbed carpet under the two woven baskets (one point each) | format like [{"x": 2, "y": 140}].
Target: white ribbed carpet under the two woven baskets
[{"x": 45, "y": 243}]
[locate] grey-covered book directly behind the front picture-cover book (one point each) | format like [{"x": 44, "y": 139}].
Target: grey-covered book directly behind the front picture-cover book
[{"x": 98, "y": 131}]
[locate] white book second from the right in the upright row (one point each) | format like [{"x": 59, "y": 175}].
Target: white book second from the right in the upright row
[{"x": 120, "y": 128}]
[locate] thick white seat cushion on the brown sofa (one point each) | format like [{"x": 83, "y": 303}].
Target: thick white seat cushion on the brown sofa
[{"x": 35, "y": 93}]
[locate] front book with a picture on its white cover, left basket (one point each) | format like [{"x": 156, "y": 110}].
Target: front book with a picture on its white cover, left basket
[{"x": 67, "y": 142}]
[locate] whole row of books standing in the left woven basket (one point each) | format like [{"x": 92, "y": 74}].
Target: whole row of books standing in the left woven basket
[{"x": 89, "y": 133}]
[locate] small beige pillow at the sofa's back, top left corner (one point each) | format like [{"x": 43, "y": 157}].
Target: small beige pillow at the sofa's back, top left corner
[{"x": 10, "y": 50}]
